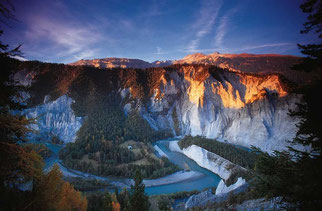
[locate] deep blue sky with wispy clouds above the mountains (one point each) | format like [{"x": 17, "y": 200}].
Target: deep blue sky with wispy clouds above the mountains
[{"x": 65, "y": 31}]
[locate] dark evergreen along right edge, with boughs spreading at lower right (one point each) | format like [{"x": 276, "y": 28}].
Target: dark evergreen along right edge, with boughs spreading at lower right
[{"x": 295, "y": 175}]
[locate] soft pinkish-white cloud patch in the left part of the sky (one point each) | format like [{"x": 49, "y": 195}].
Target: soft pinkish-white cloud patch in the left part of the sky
[{"x": 69, "y": 40}]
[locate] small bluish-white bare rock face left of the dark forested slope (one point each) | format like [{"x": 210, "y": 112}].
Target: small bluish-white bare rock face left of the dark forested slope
[{"x": 55, "y": 118}]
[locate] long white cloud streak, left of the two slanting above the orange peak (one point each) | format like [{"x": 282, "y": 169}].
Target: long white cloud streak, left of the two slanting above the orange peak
[{"x": 204, "y": 23}]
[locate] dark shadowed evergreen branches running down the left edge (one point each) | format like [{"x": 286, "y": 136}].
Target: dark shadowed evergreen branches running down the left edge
[{"x": 18, "y": 164}]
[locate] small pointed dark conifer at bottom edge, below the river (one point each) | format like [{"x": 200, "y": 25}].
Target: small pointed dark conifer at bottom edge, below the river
[{"x": 138, "y": 198}]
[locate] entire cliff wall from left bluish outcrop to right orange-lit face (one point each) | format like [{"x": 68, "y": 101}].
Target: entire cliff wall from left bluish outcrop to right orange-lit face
[{"x": 240, "y": 108}]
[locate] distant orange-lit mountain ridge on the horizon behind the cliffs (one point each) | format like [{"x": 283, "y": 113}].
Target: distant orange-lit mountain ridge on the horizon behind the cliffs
[{"x": 242, "y": 63}]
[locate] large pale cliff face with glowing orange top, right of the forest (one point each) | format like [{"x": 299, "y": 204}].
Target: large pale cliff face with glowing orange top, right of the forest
[{"x": 242, "y": 109}]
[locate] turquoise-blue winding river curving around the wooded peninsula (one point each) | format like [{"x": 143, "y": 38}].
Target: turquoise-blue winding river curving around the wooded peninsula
[{"x": 193, "y": 177}]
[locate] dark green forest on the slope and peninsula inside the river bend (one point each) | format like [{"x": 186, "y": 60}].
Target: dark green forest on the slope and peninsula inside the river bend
[{"x": 105, "y": 128}]
